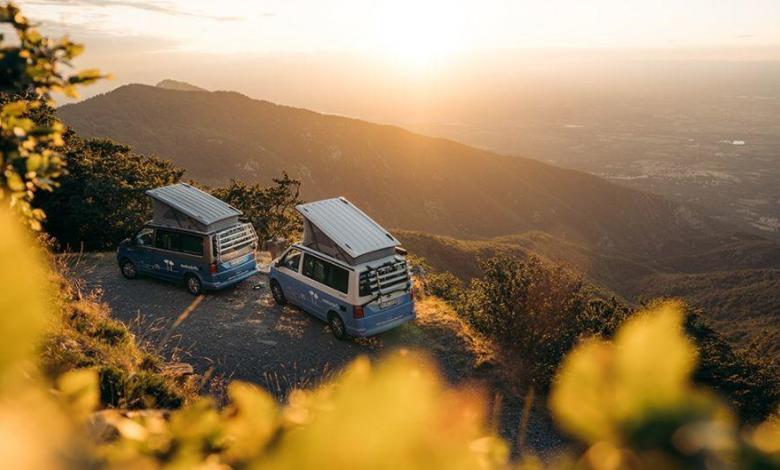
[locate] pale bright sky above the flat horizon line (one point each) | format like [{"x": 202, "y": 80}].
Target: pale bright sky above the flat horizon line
[{"x": 412, "y": 29}]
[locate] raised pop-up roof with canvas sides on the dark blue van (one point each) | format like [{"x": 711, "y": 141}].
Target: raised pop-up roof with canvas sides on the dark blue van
[{"x": 186, "y": 207}]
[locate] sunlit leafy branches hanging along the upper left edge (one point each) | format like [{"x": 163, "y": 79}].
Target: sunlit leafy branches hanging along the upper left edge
[{"x": 30, "y": 71}]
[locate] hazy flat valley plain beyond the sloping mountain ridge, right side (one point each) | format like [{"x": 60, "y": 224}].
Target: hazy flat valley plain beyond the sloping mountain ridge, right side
[{"x": 706, "y": 134}]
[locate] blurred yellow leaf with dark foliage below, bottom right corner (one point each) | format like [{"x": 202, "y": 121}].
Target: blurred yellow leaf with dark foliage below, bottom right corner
[{"x": 633, "y": 403}]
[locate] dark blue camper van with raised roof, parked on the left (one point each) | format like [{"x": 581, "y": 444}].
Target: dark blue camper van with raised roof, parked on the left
[{"x": 193, "y": 238}]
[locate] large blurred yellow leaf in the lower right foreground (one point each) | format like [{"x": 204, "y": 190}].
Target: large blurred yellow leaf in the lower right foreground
[{"x": 604, "y": 387}]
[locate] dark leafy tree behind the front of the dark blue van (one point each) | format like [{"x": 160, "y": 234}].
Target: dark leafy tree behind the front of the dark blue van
[{"x": 101, "y": 199}]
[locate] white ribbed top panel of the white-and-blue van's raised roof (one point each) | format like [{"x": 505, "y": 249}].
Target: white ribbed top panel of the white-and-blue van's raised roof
[{"x": 347, "y": 226}]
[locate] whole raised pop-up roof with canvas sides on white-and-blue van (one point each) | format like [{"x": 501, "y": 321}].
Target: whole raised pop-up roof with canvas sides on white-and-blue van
[{"x": 339, "y": 229}]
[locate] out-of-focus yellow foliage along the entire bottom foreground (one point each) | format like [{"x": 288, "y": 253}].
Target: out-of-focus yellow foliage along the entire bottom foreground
[{"x": 630, "y": 402}]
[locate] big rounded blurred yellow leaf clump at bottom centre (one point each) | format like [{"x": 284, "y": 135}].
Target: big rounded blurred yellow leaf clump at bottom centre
[{"x": 395, "y": 415}]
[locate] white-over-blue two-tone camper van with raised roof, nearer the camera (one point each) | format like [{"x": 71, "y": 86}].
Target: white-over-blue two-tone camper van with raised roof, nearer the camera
[{"x": 347, "y": 271}]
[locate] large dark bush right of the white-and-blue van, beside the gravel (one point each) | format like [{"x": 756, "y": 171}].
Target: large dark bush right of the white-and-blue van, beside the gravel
[{"x": 534, "y": 311}]
